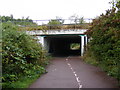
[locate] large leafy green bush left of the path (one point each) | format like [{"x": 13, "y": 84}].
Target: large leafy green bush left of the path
[{"x": 21, "y": 54}]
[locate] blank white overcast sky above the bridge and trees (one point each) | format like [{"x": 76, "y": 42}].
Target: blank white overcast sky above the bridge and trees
[{"x": 49, "y": 9}]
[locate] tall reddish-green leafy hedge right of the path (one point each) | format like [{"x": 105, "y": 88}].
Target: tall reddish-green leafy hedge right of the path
[{"x": 105, "y": 42}]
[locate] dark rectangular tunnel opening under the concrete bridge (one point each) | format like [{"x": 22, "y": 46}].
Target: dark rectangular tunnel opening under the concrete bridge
[{"x": 62, "y": 45}]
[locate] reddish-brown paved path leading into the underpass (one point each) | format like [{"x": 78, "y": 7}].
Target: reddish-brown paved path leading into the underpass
[{"x": 73, "y": 72}]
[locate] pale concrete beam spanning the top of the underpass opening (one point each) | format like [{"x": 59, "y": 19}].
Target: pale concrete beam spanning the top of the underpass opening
[{"x": 52, "y": 32}]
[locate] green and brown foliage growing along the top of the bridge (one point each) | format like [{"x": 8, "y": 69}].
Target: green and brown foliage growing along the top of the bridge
[{"x": 28, "y": 24}]
